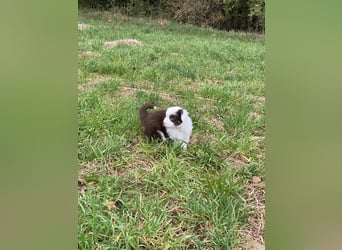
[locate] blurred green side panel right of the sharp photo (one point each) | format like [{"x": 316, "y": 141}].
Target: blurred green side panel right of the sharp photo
[{"x": 303, "y": 125}]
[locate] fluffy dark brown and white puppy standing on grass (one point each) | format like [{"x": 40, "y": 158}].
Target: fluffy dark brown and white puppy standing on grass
[{"x": 173, "y": 122}]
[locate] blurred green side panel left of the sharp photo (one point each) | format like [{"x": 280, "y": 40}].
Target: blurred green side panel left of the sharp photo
[{"x": 38, "y": 131}]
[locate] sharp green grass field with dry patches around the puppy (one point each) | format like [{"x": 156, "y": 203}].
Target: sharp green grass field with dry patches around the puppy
[{"x": 135, "y": 194}]
